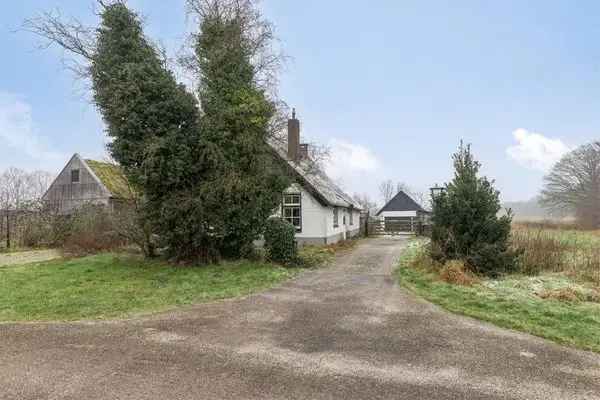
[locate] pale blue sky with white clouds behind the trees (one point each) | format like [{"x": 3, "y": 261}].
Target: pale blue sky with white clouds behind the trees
[{"x": 391, "y": 86}]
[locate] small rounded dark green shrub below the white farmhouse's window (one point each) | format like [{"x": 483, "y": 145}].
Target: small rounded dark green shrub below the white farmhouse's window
[{"x": 280, "y": 241}]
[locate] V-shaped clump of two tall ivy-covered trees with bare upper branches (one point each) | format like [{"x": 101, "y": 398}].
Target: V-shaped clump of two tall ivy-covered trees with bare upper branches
[{"x": 207, "y": 180}]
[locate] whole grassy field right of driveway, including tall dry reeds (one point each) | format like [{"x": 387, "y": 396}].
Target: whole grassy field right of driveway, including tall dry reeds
[{"x": 555, "y": 295}]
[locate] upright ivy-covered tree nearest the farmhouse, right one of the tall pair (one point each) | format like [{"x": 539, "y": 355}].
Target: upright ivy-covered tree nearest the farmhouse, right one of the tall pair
[{"x": 236, "y": 117}]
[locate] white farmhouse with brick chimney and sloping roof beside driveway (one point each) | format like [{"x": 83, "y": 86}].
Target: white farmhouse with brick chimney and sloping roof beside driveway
[{"x": 321, "y": 212}]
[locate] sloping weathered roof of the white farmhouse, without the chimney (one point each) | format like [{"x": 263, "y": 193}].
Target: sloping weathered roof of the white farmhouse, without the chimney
[{"x": 315, "y": 180}]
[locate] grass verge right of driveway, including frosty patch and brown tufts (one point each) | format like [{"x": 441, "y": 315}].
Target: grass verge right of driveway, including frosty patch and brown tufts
[{"x": 551, "y": 305}]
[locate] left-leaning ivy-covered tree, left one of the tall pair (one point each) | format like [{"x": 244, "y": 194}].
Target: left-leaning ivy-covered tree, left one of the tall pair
[{"x": 157, "y": 138}]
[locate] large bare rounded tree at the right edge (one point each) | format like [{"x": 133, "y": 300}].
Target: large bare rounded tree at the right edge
[{"x": 573, "y": 185}]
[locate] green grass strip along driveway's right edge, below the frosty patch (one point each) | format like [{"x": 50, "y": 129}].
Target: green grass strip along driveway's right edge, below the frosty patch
[{"x": 501, "y": 302}]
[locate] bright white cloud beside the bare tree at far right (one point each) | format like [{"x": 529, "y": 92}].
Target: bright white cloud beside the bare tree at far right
[{"x": 536, "y": 151}]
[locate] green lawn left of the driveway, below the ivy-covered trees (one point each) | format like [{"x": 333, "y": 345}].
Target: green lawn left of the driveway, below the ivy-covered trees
[{"x": 111, "y": 286}]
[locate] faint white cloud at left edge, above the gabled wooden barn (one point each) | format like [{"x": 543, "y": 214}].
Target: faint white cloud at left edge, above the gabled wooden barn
[{"x": 17, "y": 132}]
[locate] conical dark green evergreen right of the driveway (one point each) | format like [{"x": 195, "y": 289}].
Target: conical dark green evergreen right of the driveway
[{"x": 466, "y": 225}]
